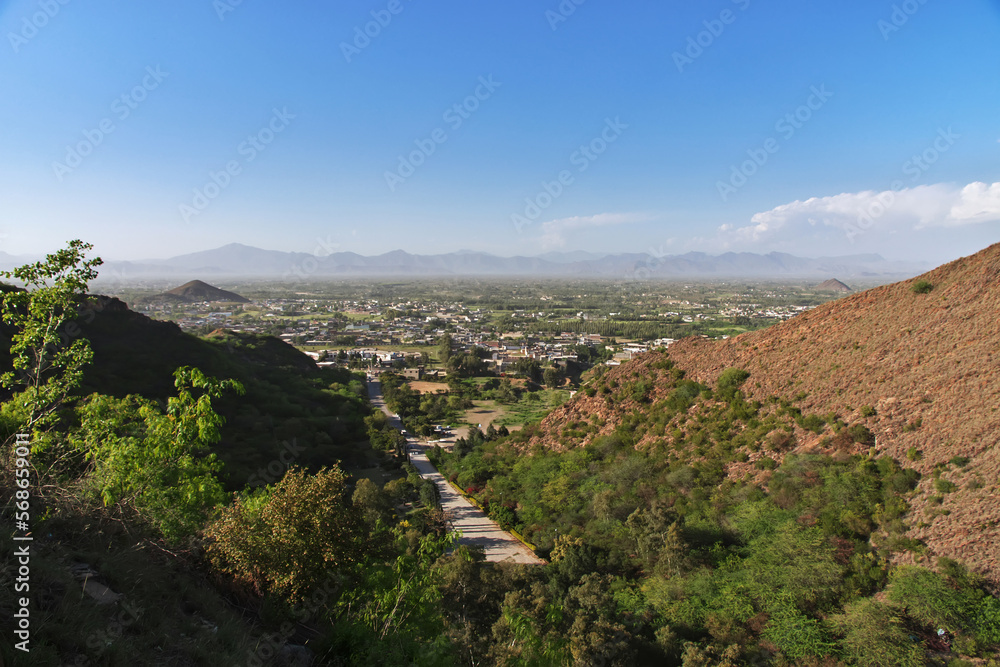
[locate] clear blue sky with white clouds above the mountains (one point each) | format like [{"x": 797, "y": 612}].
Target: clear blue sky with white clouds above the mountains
[{"x": 812, "y": 128}]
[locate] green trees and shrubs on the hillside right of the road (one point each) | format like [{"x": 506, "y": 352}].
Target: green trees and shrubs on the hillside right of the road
[{"x": 788, "y": 566}]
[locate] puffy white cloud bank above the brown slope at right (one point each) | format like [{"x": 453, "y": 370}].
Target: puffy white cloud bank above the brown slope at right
[{"x": 924, "y": 206}]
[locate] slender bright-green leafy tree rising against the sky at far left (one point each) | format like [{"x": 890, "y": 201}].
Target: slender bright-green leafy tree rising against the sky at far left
[{"x": 46, "y": 365}]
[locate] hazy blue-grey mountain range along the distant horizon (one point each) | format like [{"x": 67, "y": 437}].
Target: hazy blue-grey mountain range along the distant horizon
[{"x": 237, "y": 260}]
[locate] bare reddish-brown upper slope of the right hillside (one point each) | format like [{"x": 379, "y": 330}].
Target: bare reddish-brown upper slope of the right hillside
[{"x": 931, "y": 357}]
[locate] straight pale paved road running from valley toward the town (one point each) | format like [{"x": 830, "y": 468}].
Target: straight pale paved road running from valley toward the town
[{"x": 475, "y": 526}]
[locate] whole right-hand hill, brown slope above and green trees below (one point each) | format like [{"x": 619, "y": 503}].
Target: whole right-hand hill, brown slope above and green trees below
[{"x": 819, "y": 492}]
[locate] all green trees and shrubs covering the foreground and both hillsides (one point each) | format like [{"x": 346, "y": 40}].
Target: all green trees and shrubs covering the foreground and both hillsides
[{"x": 690, "y": 532}]
